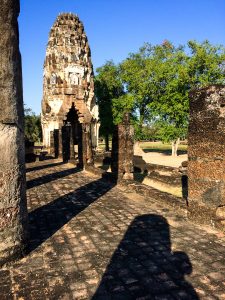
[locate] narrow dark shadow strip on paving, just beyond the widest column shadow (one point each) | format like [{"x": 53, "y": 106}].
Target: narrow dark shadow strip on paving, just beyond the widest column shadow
[{"x": 51, "y": 177}]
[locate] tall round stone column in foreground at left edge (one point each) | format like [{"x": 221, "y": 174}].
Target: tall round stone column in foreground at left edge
[{"x": 13, "y": 206}]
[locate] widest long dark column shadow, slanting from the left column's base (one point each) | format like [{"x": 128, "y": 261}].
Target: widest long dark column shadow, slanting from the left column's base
[{"x": 47, "y": 219}]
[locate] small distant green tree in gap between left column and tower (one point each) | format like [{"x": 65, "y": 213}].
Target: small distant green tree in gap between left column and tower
[{"x": 33, "y": 131}]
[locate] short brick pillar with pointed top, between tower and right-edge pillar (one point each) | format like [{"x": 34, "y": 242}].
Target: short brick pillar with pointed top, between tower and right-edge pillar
[{"x": 123, "y": 149}]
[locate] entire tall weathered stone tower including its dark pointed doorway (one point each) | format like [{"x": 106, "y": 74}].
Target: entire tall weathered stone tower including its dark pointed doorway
[{"x": 69, "y": 111}]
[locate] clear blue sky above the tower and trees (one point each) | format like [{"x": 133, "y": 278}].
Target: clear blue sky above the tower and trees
[{"x": 114, "y": 29}]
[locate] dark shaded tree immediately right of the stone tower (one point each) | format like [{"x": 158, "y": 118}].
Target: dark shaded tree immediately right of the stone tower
[{"x": 108, "y": 85}]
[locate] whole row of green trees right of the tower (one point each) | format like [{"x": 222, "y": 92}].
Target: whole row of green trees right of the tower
[{"x": 153, "y": 84}]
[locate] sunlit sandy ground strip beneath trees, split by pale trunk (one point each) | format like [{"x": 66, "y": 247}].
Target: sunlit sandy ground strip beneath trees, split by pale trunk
[{"x": 161, "y": 147}]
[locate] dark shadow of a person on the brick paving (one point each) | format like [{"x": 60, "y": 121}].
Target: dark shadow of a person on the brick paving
[{"x": 144, "y": 266}]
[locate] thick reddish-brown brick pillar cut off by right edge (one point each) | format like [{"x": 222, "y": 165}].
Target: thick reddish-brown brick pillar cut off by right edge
[{"x": 206, "y": 152}]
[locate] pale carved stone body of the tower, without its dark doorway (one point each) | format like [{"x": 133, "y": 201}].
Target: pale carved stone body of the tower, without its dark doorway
[{"x": 68, "y": 76}]
